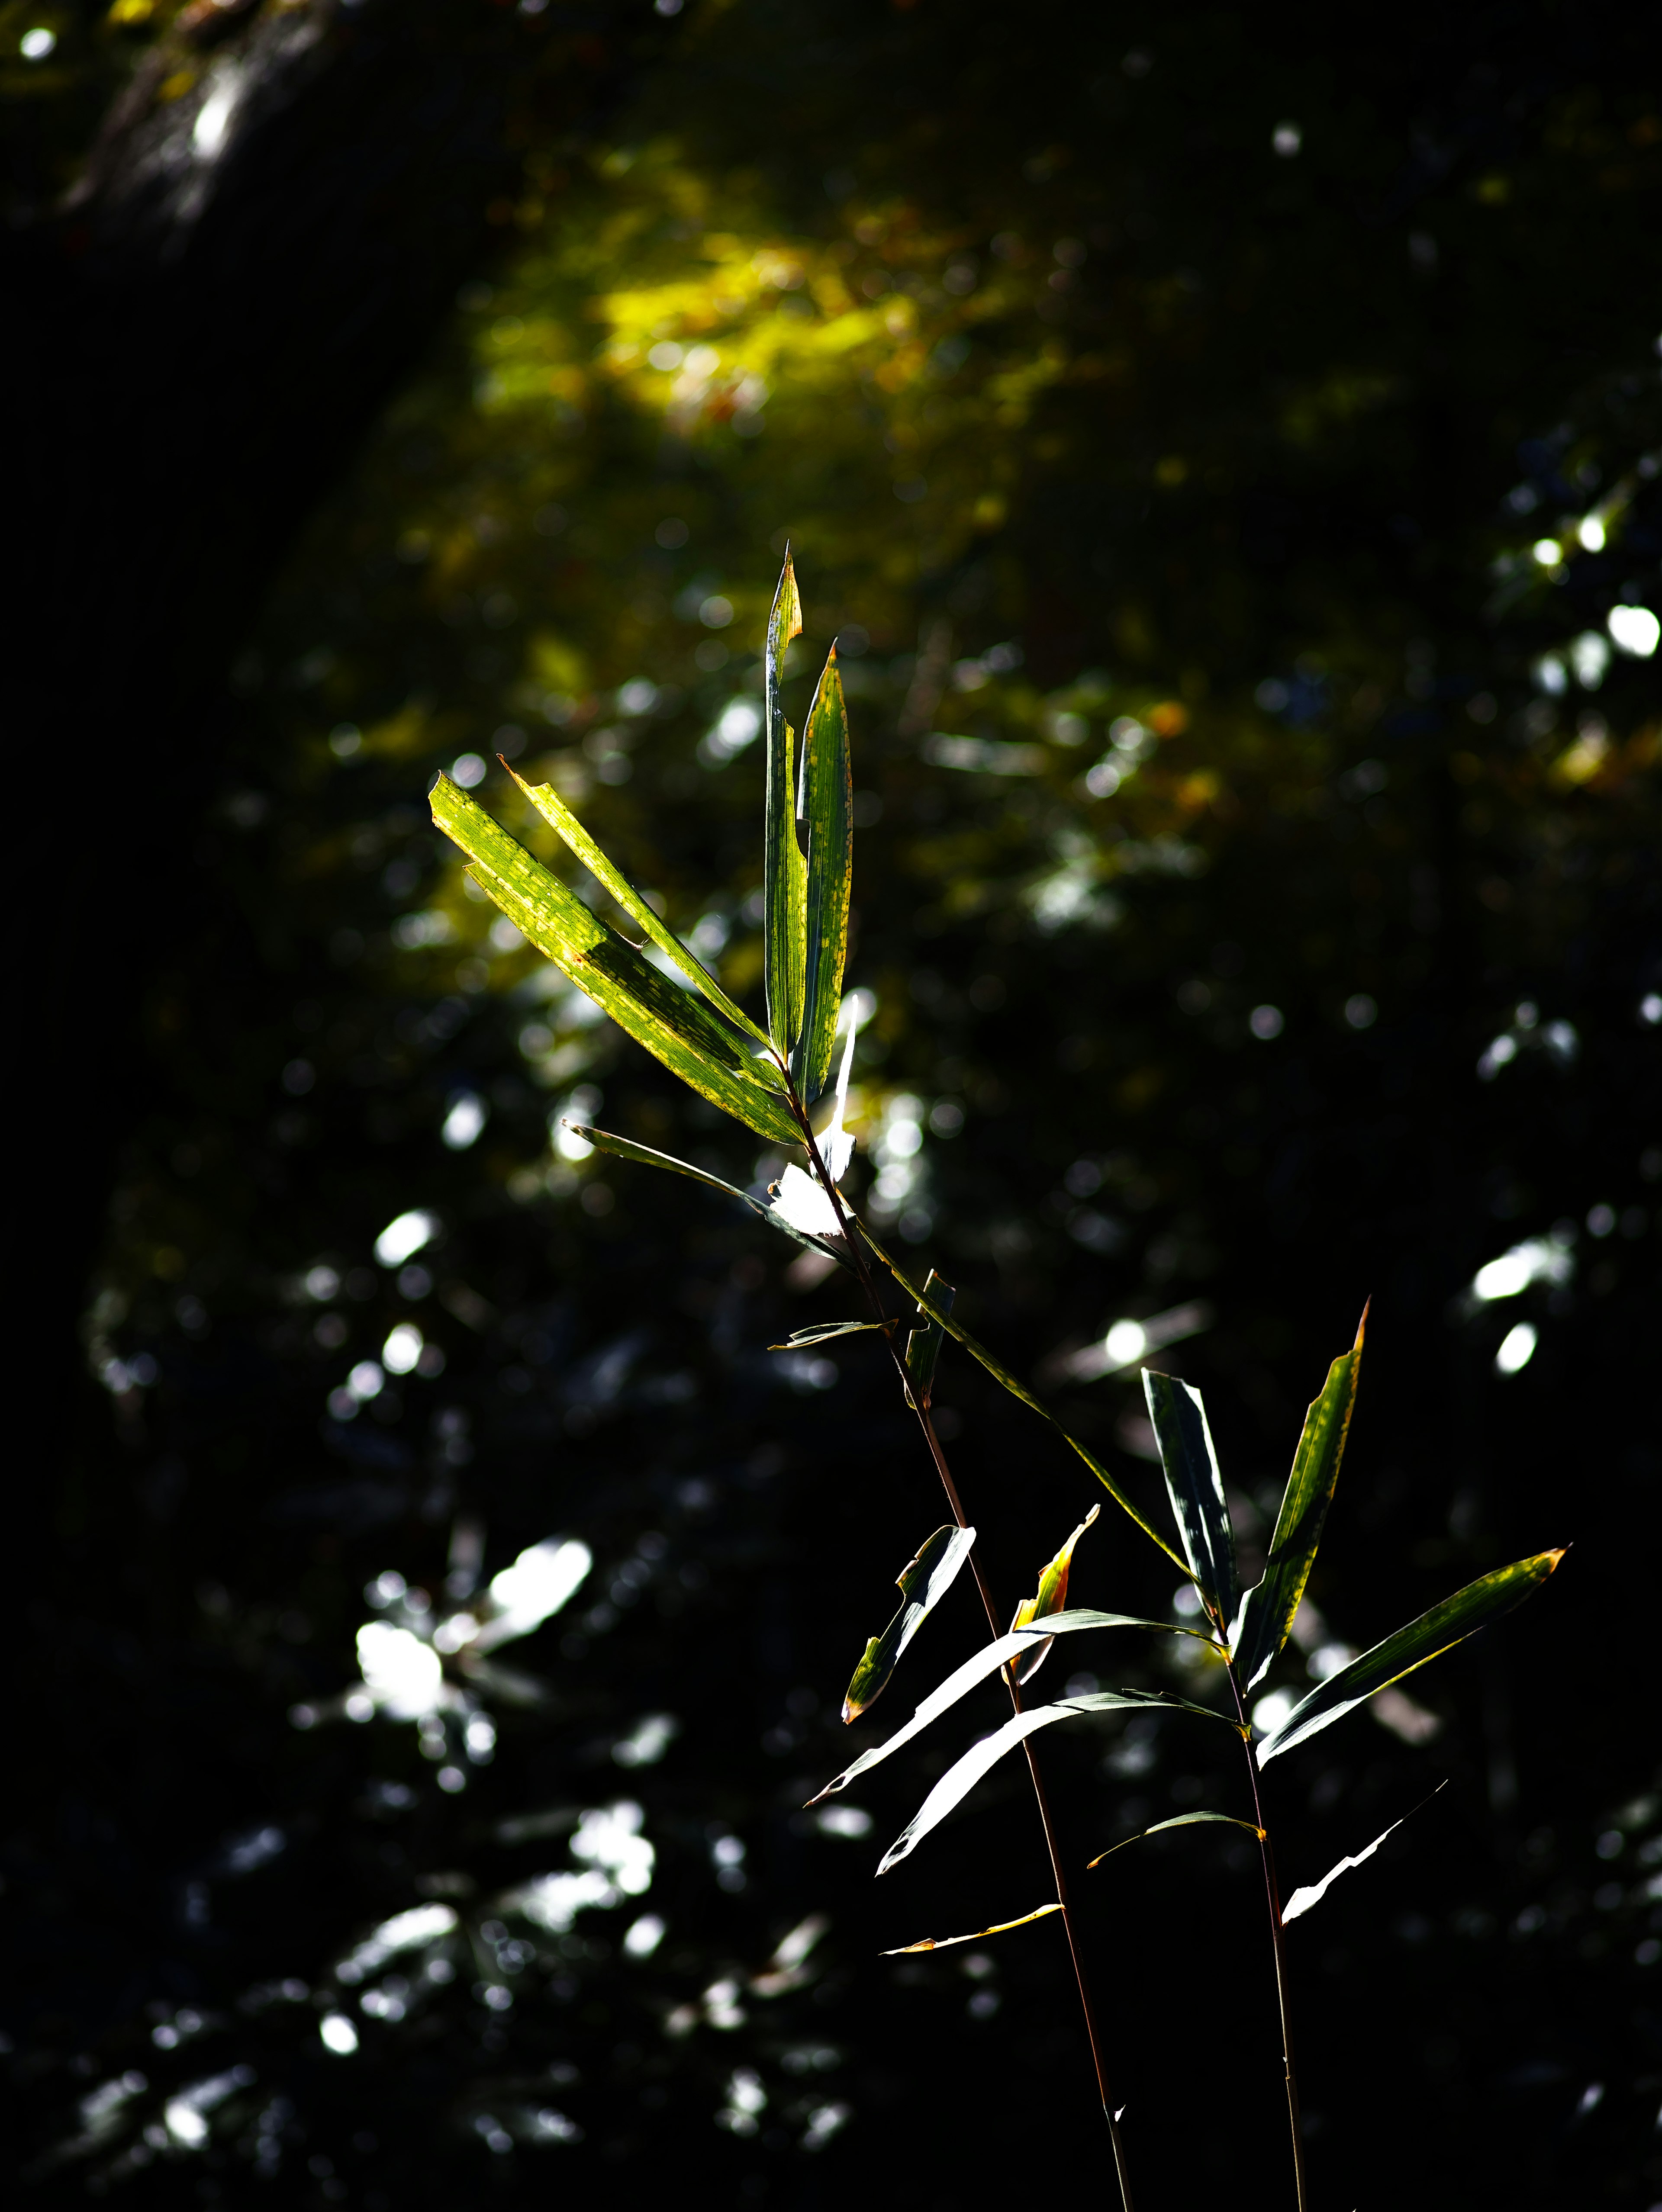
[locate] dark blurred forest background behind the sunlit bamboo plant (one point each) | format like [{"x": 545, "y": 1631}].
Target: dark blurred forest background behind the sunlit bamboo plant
[{"x": 337, "y": 459}]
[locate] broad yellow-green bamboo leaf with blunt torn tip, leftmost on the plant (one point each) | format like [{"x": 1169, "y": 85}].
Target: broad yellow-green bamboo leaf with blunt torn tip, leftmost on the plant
[{"x": 678, "y": 1030}]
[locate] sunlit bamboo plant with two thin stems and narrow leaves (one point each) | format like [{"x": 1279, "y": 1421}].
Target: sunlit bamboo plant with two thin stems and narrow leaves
[{"x": 771, "y": 1078}]
